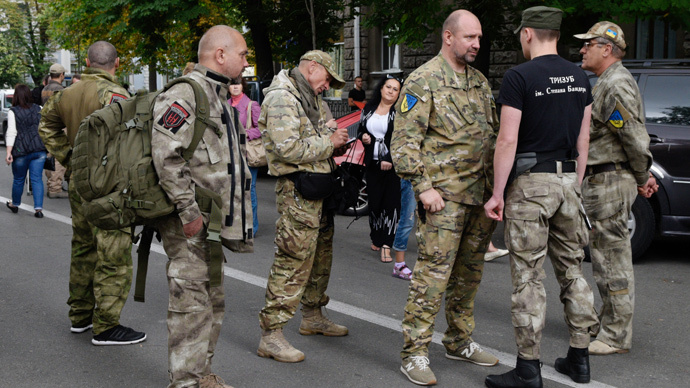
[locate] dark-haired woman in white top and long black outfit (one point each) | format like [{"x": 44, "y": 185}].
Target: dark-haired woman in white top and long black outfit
[{"x": 383, "y": 185}]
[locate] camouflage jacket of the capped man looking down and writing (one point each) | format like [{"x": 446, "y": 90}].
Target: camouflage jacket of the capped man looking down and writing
[{"x": 292, "y": 142}]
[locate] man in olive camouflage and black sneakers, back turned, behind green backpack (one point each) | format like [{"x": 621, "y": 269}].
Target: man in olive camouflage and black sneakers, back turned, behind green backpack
[{"x": 101, "y": 266}]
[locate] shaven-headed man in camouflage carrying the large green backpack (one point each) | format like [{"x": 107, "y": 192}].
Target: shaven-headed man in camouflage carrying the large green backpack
[{"x": 196, "y": 304}]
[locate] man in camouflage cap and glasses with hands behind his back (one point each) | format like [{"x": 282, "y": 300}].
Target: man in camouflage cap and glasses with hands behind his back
[{"x": 619, "y": 162}]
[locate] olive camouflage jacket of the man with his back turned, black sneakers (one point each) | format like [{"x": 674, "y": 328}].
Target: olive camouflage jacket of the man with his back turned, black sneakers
[{"x": 67, "y": 108}]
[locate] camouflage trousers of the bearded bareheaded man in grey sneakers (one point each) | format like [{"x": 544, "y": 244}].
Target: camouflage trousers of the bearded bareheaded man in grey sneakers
[{"x": 451, "y": 245}]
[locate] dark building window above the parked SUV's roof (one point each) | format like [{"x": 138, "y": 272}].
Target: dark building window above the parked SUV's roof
[{"x": 655, "y": 40}]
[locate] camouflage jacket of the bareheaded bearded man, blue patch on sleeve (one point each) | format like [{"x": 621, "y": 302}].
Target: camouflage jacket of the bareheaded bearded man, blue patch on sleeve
[{"x": 445, "y": 132}]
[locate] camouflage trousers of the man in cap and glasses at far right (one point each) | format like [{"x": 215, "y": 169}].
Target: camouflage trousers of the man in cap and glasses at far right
[{"x": 608, "y": 198}]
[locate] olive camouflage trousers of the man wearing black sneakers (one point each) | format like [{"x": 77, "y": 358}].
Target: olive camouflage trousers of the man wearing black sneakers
[{"x": 100, "y": 271}]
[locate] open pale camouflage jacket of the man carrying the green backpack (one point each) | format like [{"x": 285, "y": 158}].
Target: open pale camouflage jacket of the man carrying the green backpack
[{"x": 219, "y": 161}]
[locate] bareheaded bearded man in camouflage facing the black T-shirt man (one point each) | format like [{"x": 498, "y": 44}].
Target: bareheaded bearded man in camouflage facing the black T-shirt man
[{"x": 443, "y": 142}]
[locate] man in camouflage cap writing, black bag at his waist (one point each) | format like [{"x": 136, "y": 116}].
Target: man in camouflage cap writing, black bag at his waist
[{"x": 300, "y": 149}]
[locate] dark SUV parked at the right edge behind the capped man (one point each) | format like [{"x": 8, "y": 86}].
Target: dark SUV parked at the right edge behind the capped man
[{"x": 665, "y": 88}]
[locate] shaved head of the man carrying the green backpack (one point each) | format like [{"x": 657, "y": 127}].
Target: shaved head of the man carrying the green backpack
[{"x": 223, "y": 49}]
